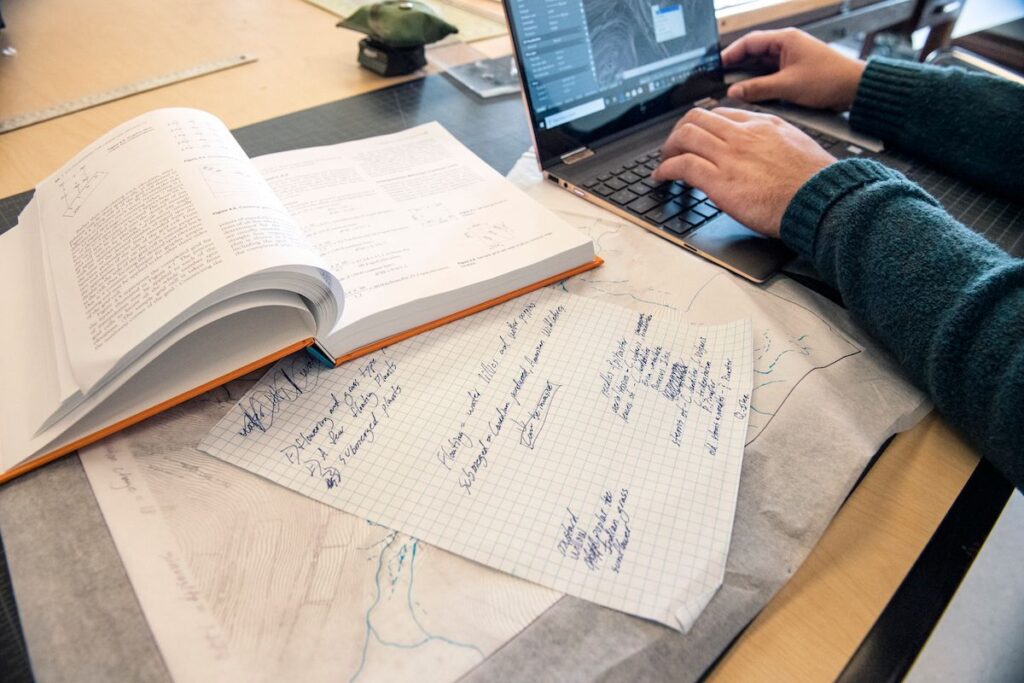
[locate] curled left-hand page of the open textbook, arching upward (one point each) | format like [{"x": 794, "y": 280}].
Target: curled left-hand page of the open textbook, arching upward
[{"x": 149, "y": 223}]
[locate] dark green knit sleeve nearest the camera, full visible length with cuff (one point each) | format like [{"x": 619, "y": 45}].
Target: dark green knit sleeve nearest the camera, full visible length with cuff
[{"x": 949, "y": 305}]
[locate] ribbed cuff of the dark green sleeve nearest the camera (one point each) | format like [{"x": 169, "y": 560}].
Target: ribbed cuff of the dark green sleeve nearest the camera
[{"x": 812, "y": 203}]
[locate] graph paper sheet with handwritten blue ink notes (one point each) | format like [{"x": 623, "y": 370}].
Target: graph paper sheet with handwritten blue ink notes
[{"x": 581, "y": 446}]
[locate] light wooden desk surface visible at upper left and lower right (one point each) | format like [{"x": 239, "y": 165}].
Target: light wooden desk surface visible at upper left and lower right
[{"x": 66, "y": 50}]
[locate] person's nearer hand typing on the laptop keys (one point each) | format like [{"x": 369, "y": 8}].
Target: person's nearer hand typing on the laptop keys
[{"x": 751, "y": 165}]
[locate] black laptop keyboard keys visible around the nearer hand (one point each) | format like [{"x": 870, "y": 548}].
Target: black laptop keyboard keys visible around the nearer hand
[{"x": 676, "y": 207}]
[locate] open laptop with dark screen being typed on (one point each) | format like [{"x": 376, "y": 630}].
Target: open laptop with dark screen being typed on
[{"x": 605, "y": 81}]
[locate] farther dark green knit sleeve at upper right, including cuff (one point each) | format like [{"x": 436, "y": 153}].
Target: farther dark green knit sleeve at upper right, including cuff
[{"x": 968, "y": 124}]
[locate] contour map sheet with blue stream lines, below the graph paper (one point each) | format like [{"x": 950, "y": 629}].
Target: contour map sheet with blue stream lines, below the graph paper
[{"x": 244, "y": 577}]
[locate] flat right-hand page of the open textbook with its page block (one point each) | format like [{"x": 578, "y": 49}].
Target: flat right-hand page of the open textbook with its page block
[{"x": 416, "y": 218}]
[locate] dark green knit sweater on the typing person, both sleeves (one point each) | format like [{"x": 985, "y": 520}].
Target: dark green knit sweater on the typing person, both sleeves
[{"x": 949, "y": 305}]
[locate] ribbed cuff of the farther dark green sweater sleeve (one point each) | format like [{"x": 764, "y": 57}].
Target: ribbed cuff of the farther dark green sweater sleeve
[{"x": 885, "y": 91}]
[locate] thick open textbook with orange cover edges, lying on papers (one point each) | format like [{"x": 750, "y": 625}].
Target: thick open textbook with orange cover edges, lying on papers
[{"x": 161, "y": 262}]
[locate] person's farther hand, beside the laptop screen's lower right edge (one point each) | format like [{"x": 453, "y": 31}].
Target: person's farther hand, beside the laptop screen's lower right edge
[{"x": 809, "y": 73}]
